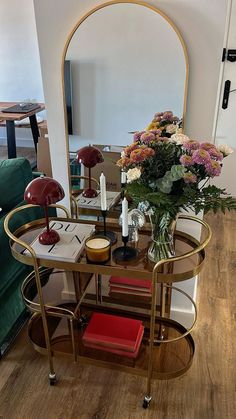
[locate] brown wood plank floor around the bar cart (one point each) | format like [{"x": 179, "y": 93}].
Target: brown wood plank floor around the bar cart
[{"x": 206, "y": 391}]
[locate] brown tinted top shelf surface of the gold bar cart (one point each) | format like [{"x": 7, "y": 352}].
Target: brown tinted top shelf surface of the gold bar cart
[{"x": 140, "y": 267}]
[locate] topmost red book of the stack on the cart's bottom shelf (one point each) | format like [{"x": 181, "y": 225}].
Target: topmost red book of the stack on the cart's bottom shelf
[{"x": 114, "y": 331}]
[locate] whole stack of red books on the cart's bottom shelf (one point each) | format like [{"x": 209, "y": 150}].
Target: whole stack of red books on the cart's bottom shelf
[{"x": 119, "y": 335}]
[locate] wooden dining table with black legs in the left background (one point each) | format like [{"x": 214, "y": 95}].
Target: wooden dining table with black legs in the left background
[{"x": 8, "y": 119}]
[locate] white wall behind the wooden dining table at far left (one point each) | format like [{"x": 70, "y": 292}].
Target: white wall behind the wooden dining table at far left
[{"x": 20, "y": 73}]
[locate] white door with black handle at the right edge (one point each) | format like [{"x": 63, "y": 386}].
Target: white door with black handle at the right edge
[{"x": 224, "y": 131}]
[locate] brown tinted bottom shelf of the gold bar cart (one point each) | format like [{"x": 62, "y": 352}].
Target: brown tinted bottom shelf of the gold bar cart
[{"x": 170, "y": 360}]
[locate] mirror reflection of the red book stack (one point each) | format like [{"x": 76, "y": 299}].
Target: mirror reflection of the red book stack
[{"x": 131, "y": 286}]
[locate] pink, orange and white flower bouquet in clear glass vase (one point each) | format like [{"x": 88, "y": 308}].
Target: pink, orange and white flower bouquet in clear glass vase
[{"x": 167, "y": 172}]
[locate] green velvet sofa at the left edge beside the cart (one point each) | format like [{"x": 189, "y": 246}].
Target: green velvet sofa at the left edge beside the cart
[{"x": 15, "y": 174}]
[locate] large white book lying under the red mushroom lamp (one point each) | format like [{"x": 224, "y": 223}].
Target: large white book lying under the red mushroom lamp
[{"x": 72, "y": 240}]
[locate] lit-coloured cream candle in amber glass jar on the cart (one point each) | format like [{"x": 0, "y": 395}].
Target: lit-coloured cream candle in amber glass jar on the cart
[{"x": 98, "y": 249}]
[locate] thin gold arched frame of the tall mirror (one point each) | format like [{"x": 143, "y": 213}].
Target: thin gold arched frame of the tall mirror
[{"x": 81, "y": 20}]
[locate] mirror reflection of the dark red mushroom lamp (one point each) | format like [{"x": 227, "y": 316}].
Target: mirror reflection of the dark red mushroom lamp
[{"x": 89, "y": 156}]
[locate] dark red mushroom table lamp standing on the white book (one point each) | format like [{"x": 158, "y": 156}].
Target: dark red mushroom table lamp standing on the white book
[{"x": 45, "y": 191}]
